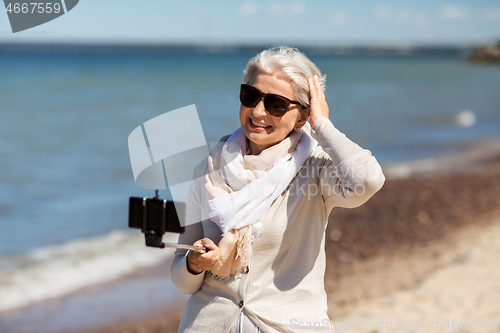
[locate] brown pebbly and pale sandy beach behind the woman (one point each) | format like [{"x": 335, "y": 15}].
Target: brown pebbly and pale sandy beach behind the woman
[{"x": 423, "y": 251}]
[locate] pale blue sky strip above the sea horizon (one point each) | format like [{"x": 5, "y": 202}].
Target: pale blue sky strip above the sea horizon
[{"x": 251, "y": 22}]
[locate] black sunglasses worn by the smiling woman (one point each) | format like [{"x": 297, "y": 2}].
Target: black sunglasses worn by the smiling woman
[{"x": 275, "y": 105}]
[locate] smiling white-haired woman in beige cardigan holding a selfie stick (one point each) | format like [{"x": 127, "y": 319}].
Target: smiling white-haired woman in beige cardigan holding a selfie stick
[{"x": 263, "y": 197}]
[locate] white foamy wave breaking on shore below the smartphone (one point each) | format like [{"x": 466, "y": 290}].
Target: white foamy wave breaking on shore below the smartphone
[{"x": 57, "y": 270}]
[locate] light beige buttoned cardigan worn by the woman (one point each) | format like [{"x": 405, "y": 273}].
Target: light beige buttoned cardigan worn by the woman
[{"x": 283, "y": 290}]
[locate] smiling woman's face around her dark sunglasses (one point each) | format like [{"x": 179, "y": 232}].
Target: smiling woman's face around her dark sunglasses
[{"x": 277, "y": 128}]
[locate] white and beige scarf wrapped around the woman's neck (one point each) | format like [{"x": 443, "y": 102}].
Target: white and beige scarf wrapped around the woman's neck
[{"x": 242, "y": 187}]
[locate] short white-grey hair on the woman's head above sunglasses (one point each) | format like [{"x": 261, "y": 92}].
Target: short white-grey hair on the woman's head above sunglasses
[{"x": 290, "y": 63}]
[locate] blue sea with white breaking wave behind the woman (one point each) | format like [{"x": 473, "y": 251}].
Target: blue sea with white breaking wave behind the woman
[{"x": 65, "y": 173}]
